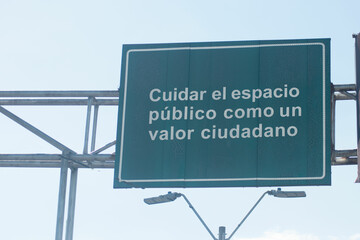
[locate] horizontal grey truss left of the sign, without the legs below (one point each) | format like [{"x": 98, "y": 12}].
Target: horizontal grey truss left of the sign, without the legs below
[{"x": 89, "y": 99}]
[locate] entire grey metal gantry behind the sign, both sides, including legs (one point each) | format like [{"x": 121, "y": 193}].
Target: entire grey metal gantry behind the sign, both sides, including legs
[{"x": 95, "y": 158}]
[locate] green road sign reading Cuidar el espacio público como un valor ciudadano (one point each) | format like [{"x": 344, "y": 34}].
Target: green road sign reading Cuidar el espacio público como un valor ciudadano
[{"x": 224, "y": 114}]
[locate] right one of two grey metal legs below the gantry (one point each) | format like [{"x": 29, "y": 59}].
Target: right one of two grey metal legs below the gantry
[{"x": 71, "y": 208}]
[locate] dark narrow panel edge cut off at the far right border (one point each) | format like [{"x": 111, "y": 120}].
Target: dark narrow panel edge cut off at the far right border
[{"x": 357, "y": 64}]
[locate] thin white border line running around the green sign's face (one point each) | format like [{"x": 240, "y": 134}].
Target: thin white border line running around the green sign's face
[{"x": 223, "y": 179}]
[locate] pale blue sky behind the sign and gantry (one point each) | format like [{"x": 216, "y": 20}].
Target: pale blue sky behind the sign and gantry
[{"x": 77, "y": 45}]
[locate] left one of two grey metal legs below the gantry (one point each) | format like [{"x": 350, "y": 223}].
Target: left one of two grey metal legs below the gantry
[{"x": 61, "y": 201}]
